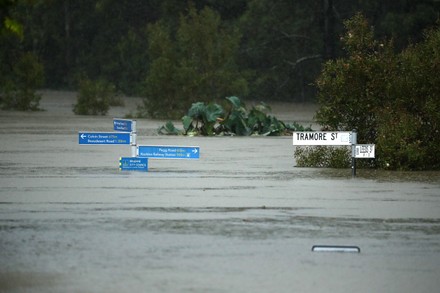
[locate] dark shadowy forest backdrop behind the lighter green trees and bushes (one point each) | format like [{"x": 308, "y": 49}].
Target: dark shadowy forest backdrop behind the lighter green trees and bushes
[{"x": 282, "y": 44}]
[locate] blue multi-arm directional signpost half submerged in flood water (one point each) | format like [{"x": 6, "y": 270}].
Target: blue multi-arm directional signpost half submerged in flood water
[{"x": 125, "y": 134}]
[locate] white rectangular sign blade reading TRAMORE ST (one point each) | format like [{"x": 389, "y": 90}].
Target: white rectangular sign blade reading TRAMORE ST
[{"x": 322, "y": 138}]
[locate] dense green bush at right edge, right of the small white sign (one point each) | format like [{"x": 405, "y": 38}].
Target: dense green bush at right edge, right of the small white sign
[{"x": 409, "y": 127}]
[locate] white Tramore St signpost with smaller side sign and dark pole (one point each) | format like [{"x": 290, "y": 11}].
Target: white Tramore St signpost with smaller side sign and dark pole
[{"x": 335, "y": 138}]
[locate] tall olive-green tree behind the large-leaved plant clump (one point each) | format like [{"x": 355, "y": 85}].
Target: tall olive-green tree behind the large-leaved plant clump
[{"x": 197, "y": 63}]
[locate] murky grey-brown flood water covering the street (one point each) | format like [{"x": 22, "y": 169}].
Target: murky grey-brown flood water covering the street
[{"x": 242, "y": 218}]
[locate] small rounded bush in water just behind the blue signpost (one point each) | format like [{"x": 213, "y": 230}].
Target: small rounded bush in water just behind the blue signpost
[{"x": 95, "y": 97}]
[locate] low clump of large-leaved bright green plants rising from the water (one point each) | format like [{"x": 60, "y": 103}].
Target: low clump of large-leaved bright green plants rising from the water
[{"x": 212, "y": 119}]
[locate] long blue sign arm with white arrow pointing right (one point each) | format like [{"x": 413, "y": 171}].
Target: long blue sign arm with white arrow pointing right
[{"x": 169, "y": 152}]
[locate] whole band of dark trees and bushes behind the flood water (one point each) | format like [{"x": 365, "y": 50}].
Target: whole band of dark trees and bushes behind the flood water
[{"x": 371, "y": 65}]
